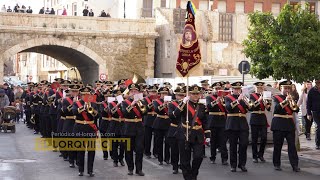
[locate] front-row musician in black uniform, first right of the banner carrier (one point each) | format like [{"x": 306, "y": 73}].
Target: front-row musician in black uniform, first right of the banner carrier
[{"x": 237, "y": 126}]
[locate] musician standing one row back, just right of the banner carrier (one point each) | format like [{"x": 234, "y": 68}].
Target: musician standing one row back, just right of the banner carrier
[{"x": 216, "y": 123}]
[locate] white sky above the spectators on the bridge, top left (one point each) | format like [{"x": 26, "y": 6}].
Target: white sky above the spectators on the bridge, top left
[{"x": 35, "y": 4}]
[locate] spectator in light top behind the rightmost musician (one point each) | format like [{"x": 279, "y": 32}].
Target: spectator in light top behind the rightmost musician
[{"x": 303, "y": 103}]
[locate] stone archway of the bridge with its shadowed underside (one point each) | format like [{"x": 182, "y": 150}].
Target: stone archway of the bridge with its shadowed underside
[{"x": 70, "y": 53}]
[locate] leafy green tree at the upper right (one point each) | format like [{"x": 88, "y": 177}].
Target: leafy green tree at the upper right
[{"x": 286, "y": 46}]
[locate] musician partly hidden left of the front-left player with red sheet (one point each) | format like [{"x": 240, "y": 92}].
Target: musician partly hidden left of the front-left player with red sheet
[{"x": 72, "y": 96}]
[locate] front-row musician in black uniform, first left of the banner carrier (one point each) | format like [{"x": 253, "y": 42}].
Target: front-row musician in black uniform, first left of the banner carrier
[{"x": 133, "y": 111}]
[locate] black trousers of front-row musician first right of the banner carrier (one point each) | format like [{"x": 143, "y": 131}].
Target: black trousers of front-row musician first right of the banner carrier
[{"x": 241, "y": 138}]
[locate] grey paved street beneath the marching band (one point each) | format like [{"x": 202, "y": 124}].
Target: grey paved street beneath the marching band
[{"x": 19, "y": 161}]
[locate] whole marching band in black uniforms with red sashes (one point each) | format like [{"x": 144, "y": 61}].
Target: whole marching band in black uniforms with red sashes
[{"x": 168, "y": 124}]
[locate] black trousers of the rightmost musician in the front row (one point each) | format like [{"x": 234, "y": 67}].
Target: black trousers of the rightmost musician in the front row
[{"x": 278, "y": 139}]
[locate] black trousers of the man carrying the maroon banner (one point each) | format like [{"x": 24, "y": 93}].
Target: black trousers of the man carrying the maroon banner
[{"x": 190, "y": 170}]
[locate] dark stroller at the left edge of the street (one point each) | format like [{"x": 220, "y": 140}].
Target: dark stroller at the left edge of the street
[{"x": 8, "y": 116}]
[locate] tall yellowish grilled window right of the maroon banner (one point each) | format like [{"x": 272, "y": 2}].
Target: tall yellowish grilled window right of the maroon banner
[{"x": 225, "y": 27}]
